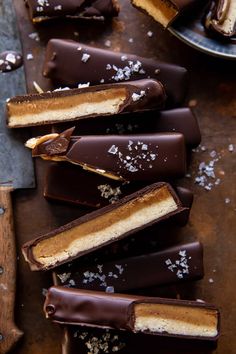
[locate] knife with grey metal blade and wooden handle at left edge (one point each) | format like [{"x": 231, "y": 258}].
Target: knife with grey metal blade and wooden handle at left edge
[{"x": 16, "y": 171}]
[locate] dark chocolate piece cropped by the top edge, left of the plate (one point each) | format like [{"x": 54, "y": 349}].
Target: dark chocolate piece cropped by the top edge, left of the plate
[{"x": 42, "y": 10}]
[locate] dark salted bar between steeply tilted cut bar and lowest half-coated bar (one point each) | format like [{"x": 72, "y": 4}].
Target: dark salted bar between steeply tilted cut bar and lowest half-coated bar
[{"x": 174, "y": 264}]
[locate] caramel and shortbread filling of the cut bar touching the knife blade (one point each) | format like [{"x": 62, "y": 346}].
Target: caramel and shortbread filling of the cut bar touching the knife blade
[{"x": 65, "y": 108}]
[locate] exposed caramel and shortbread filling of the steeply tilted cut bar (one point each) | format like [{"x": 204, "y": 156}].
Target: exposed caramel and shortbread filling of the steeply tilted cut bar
[{"x": 104, "y": 228}]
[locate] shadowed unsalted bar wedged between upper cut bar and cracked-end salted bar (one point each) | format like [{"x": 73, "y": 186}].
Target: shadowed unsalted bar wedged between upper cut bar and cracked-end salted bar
[{"x": 179, "y": 120}]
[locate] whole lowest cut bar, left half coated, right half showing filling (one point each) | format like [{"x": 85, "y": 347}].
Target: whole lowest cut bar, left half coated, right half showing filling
[{"x": 152, "y": 315}]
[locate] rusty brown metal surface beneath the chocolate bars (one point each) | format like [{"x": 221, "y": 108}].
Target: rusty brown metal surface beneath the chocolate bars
[{"x": 213, "y": 217}]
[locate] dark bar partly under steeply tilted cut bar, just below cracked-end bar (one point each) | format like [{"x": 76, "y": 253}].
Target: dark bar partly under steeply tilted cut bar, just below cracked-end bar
[{"x": 67, "y": 183}]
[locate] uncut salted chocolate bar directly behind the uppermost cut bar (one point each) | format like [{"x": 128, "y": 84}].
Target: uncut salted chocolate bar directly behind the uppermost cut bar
[{"x": 65, "y": 64}]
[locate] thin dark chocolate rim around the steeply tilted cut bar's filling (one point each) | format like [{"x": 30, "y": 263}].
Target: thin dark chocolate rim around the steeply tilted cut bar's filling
[{"x": 27, "y": 248}]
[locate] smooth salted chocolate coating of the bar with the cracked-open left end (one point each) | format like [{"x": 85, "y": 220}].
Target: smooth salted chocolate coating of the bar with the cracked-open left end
[{"x": 147, "y": 158}]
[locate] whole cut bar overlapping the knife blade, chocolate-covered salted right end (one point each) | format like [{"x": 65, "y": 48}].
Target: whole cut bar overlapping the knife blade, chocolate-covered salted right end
[{"x": 69, "y": 105}]
